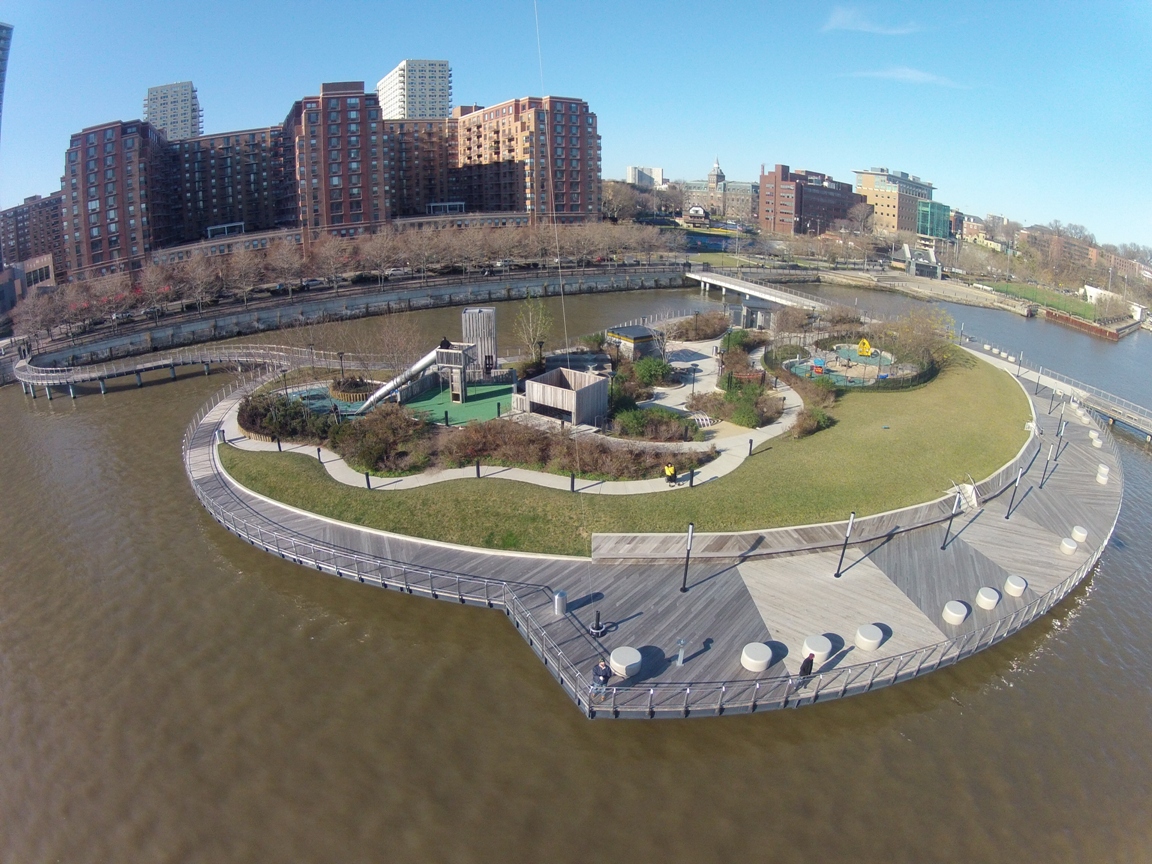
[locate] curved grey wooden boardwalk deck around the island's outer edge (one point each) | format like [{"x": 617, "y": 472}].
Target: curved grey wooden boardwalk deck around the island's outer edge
[{"x": 777, "y": 588}]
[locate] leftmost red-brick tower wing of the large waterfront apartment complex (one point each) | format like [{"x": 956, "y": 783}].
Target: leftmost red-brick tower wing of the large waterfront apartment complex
[{"x": 118, "y": 198}]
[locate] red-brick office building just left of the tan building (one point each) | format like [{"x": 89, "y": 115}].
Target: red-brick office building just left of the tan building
[{"x": 804, "y": 202}]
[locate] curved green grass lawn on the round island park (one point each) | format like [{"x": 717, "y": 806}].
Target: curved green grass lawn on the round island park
[{"x": 968, "y": 421}]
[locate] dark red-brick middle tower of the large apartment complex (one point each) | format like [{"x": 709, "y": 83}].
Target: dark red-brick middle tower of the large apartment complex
[{"x": 334, "y": 150}]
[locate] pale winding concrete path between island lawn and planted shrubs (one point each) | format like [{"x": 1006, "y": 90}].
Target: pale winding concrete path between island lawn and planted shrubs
[{"x": 732, "y": 450}]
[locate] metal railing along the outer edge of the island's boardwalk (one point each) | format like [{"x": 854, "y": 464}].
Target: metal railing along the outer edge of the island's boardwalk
[{"x": 641, "y": 701}]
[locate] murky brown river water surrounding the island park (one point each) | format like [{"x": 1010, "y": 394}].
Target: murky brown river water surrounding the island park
[{"x": 169, "y": 694}]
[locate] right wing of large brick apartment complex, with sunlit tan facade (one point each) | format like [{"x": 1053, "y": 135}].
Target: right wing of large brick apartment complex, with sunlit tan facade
[{"x": 537, "y": 155}]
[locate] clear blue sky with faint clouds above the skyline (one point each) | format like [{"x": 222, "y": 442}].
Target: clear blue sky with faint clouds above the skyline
[{"x": 1039, "y": 111}]
